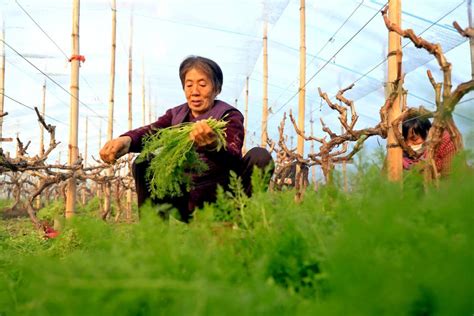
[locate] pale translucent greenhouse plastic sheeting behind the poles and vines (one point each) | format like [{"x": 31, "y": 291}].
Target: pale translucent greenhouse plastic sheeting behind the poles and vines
[{"x": 346, "y": 42}]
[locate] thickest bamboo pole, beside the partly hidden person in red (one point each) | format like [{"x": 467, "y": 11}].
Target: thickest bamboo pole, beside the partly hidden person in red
[{"x": 394, "y": 151}]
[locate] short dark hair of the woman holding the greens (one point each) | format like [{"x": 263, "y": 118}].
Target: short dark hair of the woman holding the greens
[{"x": 206, "y": 65}]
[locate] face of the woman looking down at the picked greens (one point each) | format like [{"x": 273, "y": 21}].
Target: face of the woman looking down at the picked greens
[{"x": 199, "y": 91}]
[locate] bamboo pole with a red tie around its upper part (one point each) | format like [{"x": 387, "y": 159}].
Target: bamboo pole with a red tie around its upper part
[{"x": 73, "y": 127}]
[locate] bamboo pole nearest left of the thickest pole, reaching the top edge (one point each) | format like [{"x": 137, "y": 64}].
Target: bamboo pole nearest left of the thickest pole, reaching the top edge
[{"x": 302, "y": 89}]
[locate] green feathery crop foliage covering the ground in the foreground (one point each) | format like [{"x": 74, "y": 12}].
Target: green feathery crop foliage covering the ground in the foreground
[{"x": 380, "y": 249}]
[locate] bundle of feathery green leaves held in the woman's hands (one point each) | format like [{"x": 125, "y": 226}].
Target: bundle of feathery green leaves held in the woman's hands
[{"x": 173, "y": 157}]
